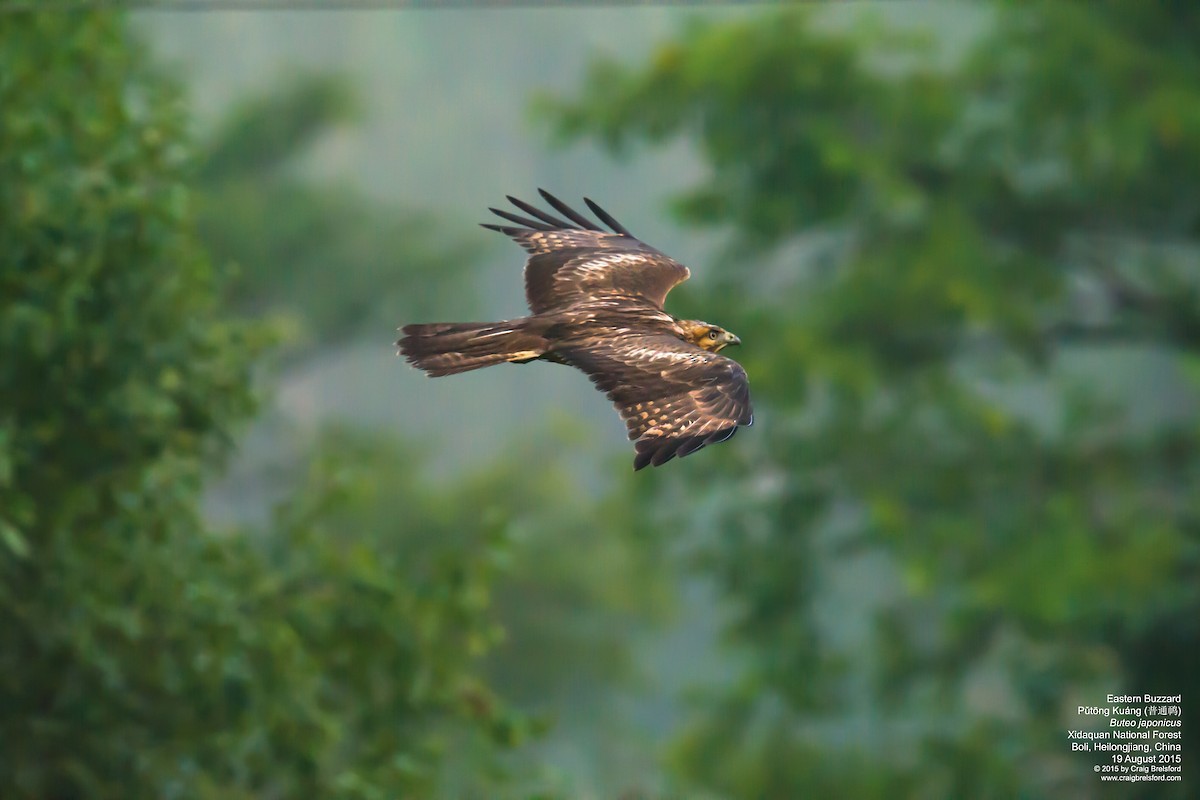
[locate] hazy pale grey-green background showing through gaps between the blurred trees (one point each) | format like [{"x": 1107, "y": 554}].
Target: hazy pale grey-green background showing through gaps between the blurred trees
[{"x": 447, "y": 128}]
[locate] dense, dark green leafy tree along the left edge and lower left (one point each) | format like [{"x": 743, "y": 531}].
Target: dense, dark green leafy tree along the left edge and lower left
[{"x": 141, "y": 655}]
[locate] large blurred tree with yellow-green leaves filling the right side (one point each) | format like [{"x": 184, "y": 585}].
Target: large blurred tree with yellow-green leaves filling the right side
[{"x": 1000, "y": 278}]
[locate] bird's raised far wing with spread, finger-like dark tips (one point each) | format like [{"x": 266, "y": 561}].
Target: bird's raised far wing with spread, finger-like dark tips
[{"x": 574, "y": 261}]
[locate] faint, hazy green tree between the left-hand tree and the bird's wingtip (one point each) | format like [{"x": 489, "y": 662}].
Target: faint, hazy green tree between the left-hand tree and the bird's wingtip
[{"x": 337, "y": 261}]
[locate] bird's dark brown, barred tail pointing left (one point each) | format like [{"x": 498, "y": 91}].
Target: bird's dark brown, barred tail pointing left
[{"x": 447, "y": 348}]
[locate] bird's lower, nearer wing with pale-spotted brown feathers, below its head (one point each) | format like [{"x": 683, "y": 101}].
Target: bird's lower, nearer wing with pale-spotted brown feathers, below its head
[{"x": 674, "y": 396}]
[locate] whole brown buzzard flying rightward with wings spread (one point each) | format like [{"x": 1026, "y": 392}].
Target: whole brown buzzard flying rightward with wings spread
[{"x": 597, "y": 305}]
